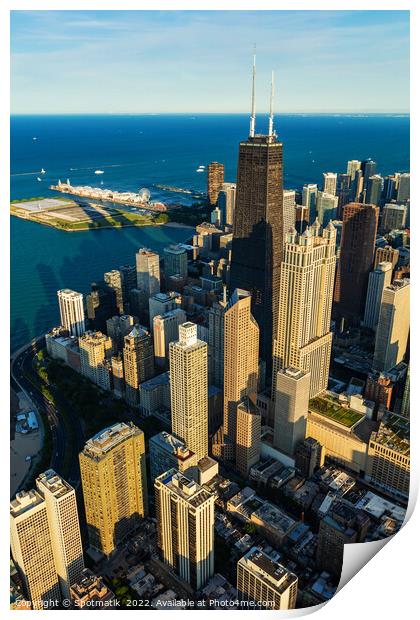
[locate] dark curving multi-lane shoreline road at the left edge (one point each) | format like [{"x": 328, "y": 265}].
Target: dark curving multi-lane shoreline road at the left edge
[{"x": 21, "y": 362}]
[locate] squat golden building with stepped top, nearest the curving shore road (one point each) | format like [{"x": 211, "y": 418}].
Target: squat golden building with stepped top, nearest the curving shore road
[{"x": 95, "y": 350}]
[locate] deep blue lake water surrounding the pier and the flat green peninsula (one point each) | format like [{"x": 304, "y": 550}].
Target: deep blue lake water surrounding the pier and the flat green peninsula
[{"x": 138, "y": 151}]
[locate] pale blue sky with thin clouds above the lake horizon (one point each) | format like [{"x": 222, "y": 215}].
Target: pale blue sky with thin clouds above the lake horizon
[{"x": 118, "y": 62}]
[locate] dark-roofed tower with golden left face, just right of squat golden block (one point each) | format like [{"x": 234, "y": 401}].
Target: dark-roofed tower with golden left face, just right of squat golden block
[{"x": 138, "y": 362}]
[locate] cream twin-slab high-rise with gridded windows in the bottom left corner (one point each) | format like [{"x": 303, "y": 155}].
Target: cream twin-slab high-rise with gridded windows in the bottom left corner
[{"x": 45, "y": 539}]
